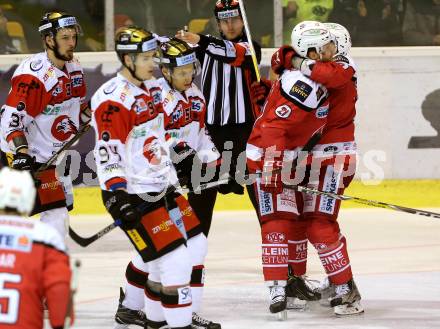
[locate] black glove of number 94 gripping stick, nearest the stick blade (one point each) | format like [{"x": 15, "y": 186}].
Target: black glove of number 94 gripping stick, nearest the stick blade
[{"x": 118, "y": 205}]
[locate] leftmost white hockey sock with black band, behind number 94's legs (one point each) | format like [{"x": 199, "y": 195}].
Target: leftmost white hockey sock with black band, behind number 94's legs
[{"x": 134, "y": 287}]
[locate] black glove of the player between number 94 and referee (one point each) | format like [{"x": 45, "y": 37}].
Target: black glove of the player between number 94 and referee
[{"x": 183, "y": 159}]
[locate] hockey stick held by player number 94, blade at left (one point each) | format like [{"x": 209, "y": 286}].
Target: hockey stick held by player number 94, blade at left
[{"x": 85, "y": 241}]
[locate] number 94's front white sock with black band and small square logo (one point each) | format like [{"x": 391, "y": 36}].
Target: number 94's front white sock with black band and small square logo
[{"x": 177, "y": 306}]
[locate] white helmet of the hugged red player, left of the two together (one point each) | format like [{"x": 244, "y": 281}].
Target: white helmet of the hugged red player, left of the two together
[{"x": 310, "y": 34}]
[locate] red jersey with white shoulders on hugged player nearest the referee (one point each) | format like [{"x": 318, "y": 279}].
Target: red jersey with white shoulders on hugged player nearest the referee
[{"x": 295, "y": 110}]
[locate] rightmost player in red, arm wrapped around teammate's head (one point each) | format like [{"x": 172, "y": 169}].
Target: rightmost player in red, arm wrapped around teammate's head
[{"x": 336, "y": 142}]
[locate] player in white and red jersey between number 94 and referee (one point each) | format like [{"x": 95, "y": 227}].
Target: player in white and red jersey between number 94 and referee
[{"x": 185, "y": 109}]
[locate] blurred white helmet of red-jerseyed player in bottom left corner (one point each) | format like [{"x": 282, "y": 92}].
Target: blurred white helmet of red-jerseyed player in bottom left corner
[{"x": 17, "y": 191}]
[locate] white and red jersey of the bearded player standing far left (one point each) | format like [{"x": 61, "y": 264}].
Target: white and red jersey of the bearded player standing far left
[{"x": 44, "y": 105}]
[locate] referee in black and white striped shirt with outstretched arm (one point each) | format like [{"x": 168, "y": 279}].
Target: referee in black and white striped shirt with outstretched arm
[{"x": 227, "y": 74}]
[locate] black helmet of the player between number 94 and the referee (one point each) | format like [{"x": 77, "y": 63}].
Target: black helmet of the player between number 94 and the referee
[{"x": 175, "y": 53}]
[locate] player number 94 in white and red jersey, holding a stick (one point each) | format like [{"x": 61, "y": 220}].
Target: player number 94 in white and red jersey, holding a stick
[{"x": 135, "y": 172}]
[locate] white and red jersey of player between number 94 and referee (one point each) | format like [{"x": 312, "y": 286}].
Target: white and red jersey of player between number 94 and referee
[{"x": 186, "y": 120}]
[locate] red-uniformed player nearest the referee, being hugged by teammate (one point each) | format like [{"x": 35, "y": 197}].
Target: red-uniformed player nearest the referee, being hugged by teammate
[{"x": 294, "y": 113}]
